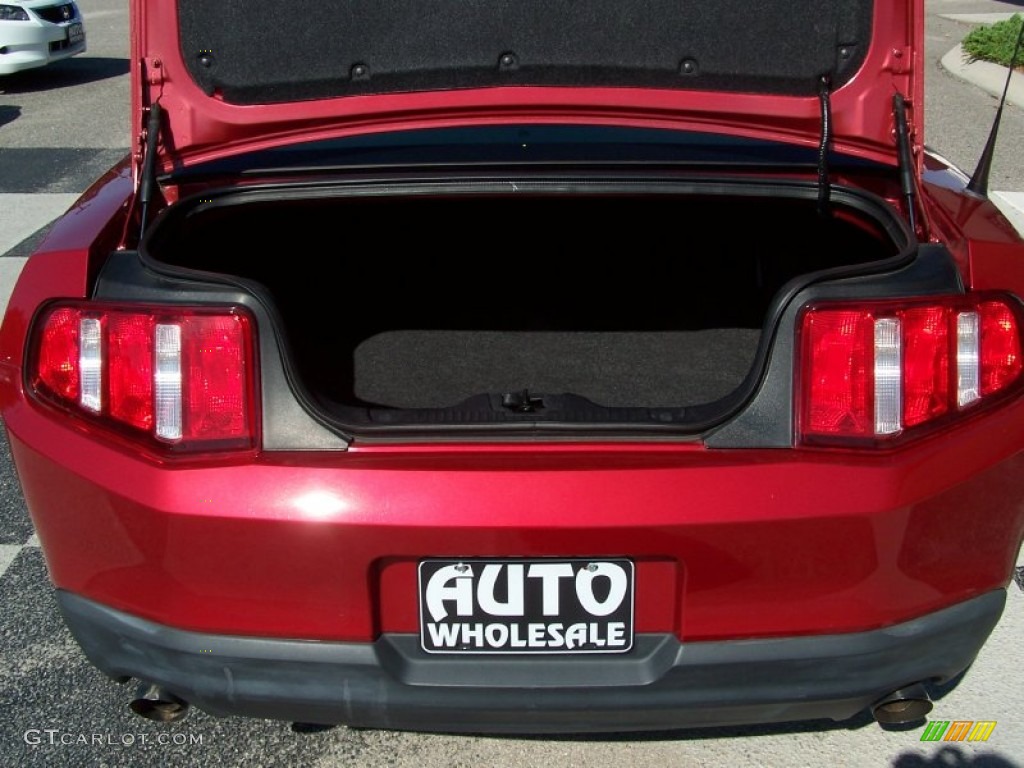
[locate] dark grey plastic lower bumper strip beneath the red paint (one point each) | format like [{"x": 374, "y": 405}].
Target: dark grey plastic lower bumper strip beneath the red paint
[{"x": 661, "y": 685}]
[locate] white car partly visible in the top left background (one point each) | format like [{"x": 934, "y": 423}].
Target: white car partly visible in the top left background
[{"x": 34, "y": 33}]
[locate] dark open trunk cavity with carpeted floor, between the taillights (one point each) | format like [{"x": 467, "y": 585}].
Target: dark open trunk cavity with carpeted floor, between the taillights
[{"x": 500, "y": 308}]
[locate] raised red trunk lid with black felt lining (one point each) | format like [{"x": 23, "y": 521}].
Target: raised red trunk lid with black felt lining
[{"x": 240, "y": 75}]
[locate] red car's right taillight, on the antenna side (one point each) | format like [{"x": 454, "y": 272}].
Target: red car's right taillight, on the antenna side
[{"x": 872, "y": 371}]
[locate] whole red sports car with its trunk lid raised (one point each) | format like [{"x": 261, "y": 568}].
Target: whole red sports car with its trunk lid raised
[{"x": 526, "y": 368}]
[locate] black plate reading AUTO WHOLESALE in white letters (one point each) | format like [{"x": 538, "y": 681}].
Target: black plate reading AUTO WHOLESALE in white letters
[{"x": 527, "y": 607}]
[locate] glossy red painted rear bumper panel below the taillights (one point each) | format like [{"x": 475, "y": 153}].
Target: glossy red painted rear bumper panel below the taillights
[{"x": 730, "y": 544}]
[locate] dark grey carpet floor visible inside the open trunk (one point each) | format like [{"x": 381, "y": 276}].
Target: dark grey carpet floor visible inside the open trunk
[{"x": 437, "y": 369}]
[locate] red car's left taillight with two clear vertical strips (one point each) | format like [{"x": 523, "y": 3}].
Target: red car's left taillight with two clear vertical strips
[{"x": 184, "y": 378}]
